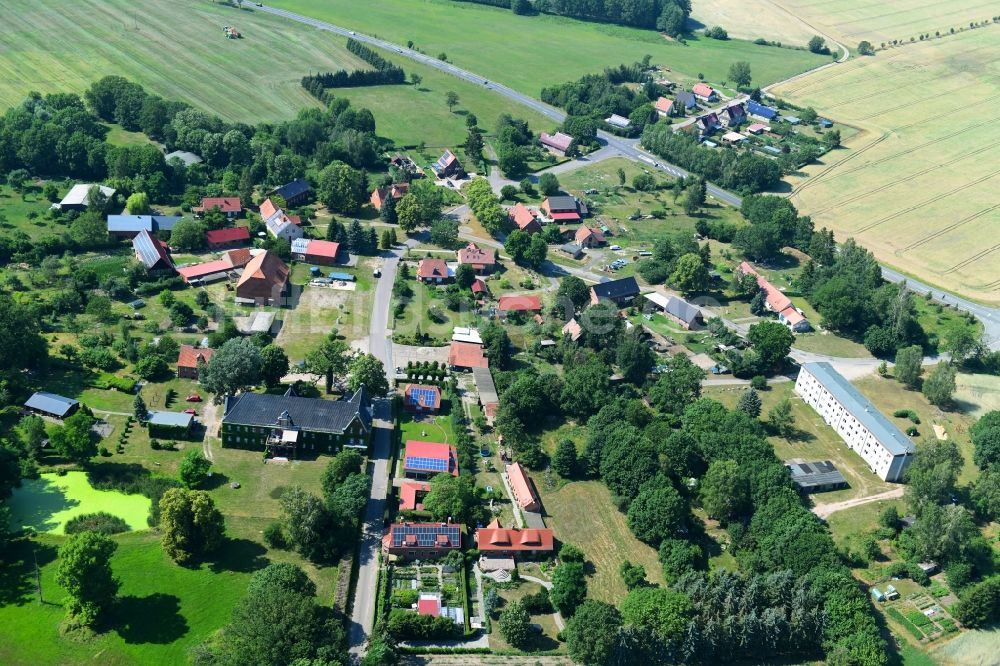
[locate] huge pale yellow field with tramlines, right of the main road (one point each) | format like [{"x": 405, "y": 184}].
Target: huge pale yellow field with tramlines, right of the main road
[{"x": 917, "y": 185}]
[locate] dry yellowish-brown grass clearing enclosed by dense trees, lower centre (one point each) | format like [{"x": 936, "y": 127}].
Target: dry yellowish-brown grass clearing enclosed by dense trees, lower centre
[{"x": 582, "y": 513}]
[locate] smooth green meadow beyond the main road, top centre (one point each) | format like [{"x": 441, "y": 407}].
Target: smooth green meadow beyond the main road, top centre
[{"x": 529, "y": 52}]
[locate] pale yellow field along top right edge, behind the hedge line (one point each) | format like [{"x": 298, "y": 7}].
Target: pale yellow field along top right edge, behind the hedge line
[{"x": 851, "y": 21}]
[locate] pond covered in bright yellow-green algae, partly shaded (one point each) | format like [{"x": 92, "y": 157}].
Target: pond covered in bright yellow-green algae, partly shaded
[{"x": 45, "y": 504}]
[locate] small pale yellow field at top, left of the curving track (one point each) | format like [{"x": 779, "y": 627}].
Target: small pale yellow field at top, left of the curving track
[{"x": 745, "y": 20}]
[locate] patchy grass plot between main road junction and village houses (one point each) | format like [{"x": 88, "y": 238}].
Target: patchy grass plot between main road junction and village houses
[{"x": 613, "y": 204}]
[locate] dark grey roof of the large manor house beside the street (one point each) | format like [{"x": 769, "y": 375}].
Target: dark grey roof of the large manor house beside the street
[{"x": 334, "y": 416}]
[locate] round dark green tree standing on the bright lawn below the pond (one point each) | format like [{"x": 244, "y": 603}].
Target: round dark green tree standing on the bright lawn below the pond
[{"x": 85, "y": 573}]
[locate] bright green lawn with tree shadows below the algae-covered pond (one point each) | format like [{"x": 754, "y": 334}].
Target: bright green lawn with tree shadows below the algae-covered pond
[{"x": 163, "y": 610}]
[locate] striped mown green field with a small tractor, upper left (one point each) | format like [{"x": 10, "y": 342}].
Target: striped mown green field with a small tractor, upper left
[{"x": 174, "y": 49}]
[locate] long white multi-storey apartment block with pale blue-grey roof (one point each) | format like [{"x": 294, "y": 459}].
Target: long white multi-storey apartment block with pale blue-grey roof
[{"x": 886, "y": 449}]
